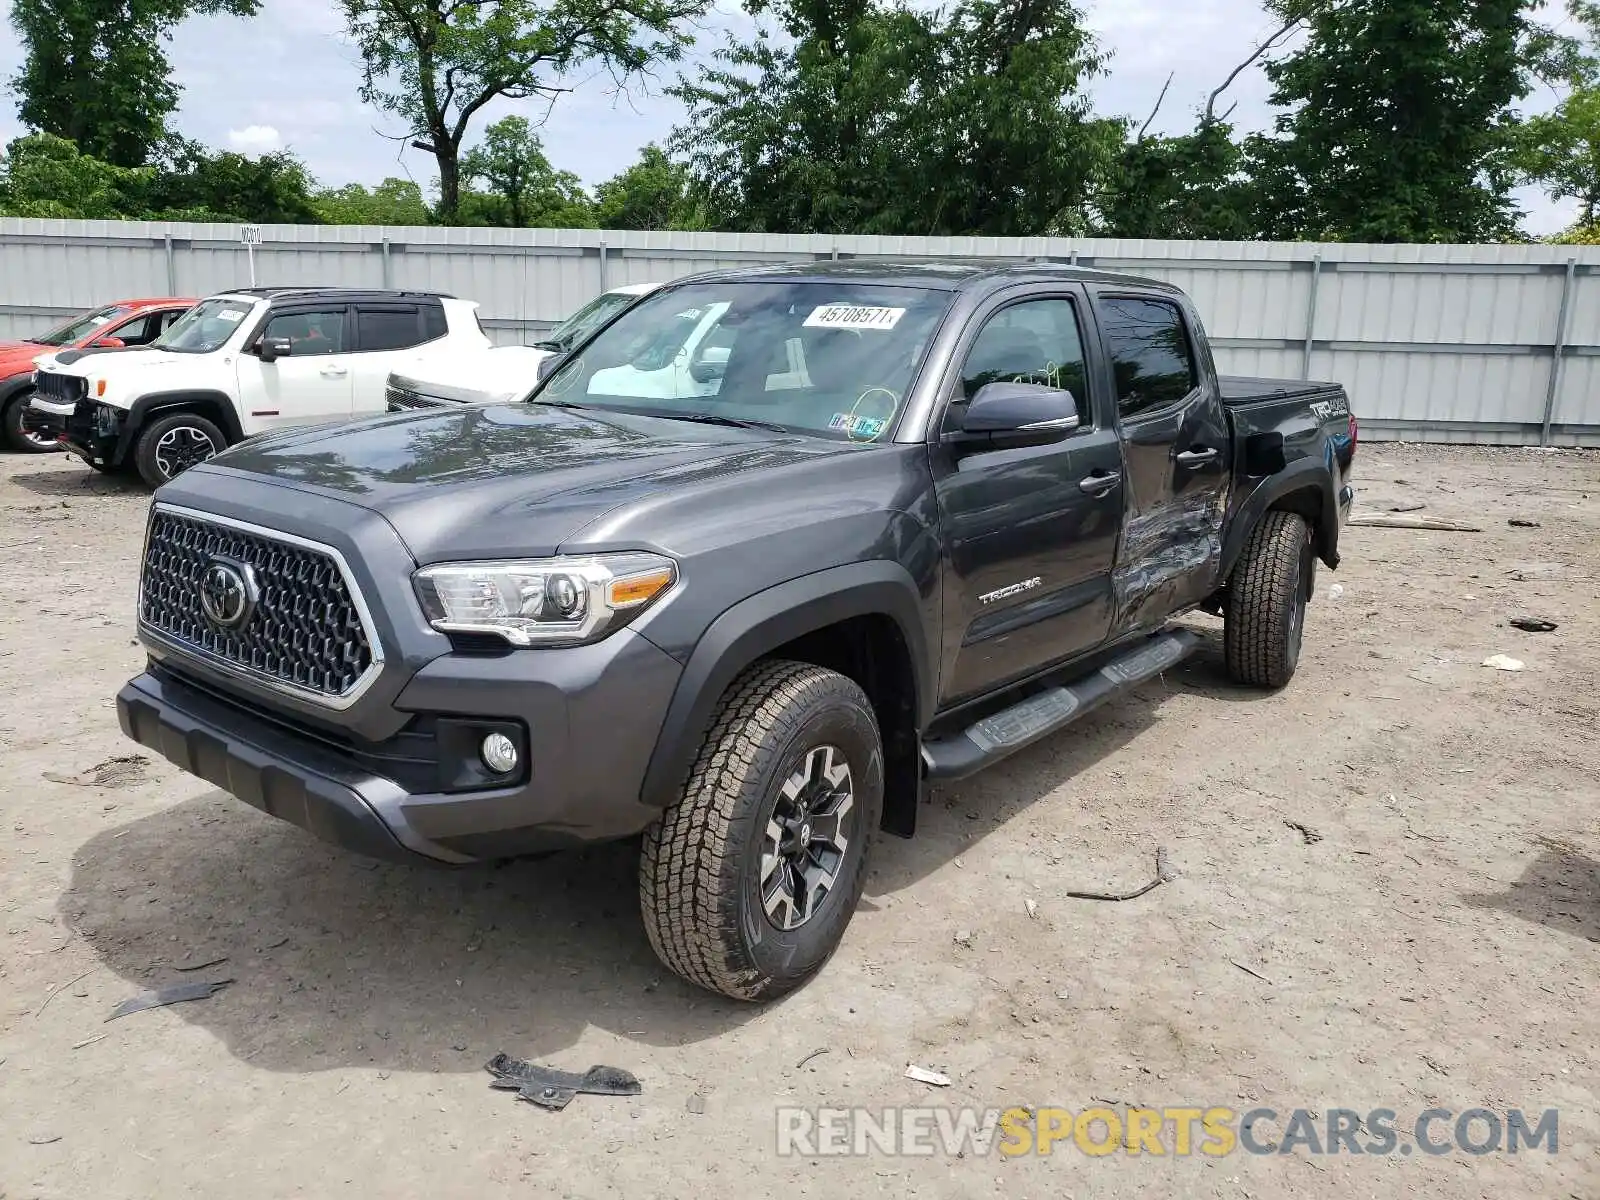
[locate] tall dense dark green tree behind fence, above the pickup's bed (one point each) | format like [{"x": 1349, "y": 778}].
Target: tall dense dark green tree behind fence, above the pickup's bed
[{"x": 1398, "y": 121}]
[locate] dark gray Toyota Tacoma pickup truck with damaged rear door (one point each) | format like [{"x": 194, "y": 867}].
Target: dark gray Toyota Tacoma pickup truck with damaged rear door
[{"x": 887, "y": 524}]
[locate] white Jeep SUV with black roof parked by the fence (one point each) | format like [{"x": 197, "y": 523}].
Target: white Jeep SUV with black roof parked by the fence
[{"x": 242, "y": 364}]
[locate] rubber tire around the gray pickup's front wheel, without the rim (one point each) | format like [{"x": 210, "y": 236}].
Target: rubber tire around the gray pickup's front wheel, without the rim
[{"x": 700, "y": 871}]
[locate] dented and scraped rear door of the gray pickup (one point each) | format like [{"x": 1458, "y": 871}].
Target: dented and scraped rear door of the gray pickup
[{"x": 1178, "y": 454}]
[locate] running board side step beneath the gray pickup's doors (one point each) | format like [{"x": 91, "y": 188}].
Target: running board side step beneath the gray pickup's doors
[{"x": 1046, "y": 713}]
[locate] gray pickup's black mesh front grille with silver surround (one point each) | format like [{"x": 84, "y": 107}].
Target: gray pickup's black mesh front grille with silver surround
[{"x": 303, "y": 630}]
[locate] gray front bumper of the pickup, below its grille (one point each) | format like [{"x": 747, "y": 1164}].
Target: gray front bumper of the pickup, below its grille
[{"x": 590, "y": 726}]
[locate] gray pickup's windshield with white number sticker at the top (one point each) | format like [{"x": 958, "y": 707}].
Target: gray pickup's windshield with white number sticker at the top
[{"x": 828, "y": 359}]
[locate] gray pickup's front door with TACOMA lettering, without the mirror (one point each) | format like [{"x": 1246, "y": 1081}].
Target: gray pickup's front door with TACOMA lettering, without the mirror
[{"x": 1033, "y": 532}]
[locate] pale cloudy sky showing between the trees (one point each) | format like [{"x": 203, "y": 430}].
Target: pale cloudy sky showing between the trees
[{"x": 290, "y": 79}]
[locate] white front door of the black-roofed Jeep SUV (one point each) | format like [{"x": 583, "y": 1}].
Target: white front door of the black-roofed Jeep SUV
[{"x": 308, "y": 388}]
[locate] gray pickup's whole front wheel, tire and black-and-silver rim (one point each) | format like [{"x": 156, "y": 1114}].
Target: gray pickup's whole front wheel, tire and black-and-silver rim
[{"x": 750, "y": 881}]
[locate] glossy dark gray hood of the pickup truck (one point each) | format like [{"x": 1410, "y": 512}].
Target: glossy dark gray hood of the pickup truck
[{"x": 502, "y": 481}]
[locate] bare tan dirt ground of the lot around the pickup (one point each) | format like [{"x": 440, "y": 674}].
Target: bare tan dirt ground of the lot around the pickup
[{"x": 1431, "y": 940}]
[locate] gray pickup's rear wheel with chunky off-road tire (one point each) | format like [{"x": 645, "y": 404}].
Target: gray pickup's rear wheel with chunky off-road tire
[{"x": 1266, "y": 602}]
